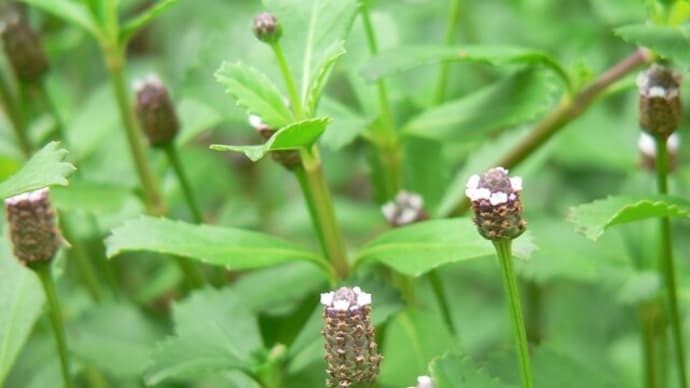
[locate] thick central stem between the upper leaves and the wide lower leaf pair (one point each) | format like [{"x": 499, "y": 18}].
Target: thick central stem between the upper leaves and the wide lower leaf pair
[{"x": 319, "y": 195}]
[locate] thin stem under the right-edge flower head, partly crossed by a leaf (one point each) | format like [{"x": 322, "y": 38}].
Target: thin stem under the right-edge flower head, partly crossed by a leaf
[{"x": 666, "y": 265}]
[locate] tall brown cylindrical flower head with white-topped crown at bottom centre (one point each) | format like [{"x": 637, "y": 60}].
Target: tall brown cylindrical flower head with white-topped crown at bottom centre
[{"x": 351, "y": 351}]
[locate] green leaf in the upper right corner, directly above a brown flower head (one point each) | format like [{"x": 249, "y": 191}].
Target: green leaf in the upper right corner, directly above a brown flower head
[{"x": 670, "y": 42}]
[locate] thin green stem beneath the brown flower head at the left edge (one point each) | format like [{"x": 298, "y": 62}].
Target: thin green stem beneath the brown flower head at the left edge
[{"x": 44, "y": 274}]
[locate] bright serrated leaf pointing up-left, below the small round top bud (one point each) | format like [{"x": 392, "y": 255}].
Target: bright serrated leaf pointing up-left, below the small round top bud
[{"x": 255, "y": 93}]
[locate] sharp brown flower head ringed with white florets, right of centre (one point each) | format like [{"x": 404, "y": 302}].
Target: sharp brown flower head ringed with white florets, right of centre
[{"x": 496, "y": 204}]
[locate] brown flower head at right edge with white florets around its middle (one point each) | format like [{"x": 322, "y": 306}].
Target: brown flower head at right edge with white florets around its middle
[{"x": 659, "y": 106}]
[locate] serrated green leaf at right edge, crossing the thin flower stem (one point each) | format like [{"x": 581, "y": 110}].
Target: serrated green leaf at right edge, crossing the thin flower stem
[{"x": 592, "y": 219}]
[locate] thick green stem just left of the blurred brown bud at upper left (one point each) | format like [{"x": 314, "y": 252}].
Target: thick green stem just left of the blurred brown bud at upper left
[{"x": 154, "y": 200}]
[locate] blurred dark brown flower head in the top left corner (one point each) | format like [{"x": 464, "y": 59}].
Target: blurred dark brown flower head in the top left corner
[{"x": 23, "y": 48}]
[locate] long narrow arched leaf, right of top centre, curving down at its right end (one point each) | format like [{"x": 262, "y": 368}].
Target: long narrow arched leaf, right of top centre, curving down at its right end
[{"x": 400, "y": 59}]
